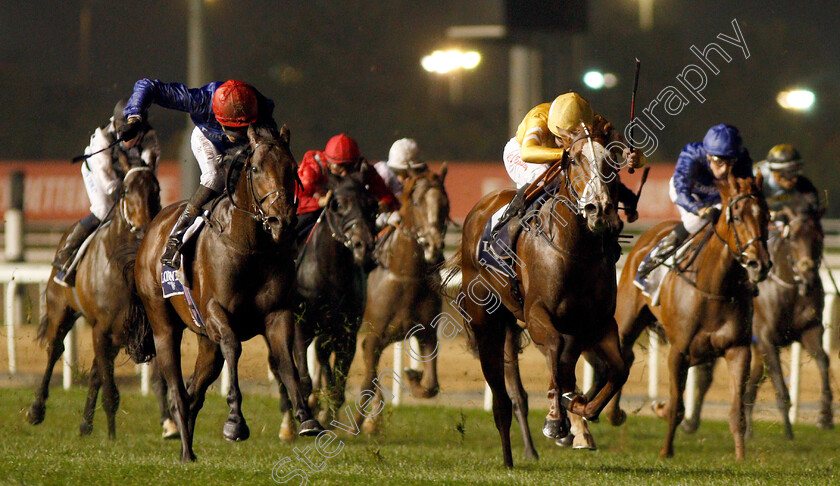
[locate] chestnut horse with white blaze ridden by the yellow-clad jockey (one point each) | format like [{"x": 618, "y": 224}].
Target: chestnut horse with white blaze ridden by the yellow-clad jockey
[{"x": 564, "y": 267}]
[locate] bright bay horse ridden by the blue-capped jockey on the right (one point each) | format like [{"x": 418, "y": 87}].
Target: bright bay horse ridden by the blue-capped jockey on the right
[{"x": 705, "y": 306}]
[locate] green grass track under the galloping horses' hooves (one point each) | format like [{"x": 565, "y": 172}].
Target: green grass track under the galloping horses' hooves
[{"x": 418, "y": 445}]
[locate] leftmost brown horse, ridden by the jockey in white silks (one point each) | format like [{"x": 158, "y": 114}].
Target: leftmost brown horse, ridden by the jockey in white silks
[{"x": 103, "y": 295}]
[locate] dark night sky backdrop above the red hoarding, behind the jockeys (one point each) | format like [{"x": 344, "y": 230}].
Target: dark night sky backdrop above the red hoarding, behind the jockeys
[{"x": 354, "y": 67}]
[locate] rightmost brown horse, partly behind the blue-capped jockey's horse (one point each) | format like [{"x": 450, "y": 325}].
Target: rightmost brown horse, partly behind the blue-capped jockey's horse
[{"x": 788, "y": 308}]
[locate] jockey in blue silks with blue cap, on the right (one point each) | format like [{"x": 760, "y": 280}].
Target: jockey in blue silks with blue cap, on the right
[{"x": 693, "y": 190}]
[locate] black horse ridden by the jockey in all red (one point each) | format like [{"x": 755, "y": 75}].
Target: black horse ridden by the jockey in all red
[{"x": 332, "y": 268}]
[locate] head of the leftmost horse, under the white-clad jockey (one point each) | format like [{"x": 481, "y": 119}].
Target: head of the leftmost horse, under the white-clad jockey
[{"x": 140, "y": 199}]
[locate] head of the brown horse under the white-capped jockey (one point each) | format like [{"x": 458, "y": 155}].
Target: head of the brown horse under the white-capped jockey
[{"x": 425, "y": 212}]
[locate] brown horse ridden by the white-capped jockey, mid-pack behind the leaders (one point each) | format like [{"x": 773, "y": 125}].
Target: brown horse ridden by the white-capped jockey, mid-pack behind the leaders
[{"x": 403, "y": 290}]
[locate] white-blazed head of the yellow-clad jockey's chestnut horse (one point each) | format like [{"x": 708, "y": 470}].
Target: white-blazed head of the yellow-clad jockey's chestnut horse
[{"x": 592, "y": 174}]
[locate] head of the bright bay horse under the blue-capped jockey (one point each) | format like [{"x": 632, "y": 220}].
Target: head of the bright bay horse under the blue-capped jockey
[{"x": 745, "y": 221}]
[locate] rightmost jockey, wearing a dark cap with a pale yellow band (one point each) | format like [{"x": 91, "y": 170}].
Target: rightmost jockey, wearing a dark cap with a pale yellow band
[{"x": 784, "y": 184}]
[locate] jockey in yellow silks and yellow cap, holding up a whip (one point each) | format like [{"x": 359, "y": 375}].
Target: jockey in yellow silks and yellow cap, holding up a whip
[{"x": 537, "y": 146}]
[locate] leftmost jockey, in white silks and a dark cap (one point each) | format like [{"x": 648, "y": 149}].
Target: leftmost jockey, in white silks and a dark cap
[{"x": 102, "y": 174}]
